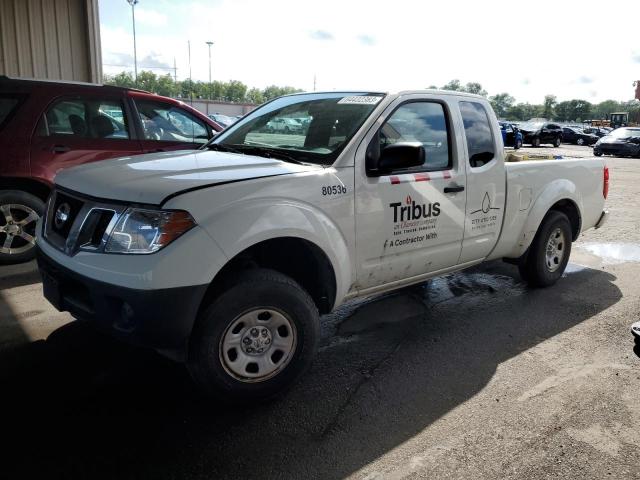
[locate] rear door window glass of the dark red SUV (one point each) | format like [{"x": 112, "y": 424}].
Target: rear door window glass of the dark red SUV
[{"x": 85, "y": 118}]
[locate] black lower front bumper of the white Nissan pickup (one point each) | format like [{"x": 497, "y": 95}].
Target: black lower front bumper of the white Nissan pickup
[{"x": 161, "y": 319}]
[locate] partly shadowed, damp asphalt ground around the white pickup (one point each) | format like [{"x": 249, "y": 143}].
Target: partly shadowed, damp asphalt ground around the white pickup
[{"x": 472, "y": 375}]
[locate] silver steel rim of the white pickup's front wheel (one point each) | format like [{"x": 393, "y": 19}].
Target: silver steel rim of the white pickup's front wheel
[{"x": 257, "y": 345}]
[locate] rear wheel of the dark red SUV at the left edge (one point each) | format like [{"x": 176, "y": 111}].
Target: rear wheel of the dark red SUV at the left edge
[{"x": 19, "y": 249}]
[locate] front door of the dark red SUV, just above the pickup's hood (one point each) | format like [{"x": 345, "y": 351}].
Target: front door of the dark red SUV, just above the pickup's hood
[{"x": 167, "y": 126}]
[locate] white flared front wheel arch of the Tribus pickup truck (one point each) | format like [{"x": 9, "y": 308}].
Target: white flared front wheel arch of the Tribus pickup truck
[{"x": 250, "y": 222}]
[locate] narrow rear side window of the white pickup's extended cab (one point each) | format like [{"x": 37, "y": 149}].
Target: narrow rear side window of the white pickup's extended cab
[{"x": 477, "y": 130}]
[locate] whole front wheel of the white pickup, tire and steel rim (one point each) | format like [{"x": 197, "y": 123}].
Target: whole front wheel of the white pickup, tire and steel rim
[{"x": 254, "y": 340}]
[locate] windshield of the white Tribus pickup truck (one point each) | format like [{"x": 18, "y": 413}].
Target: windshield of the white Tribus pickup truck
[{"x": 312, "y": 128}]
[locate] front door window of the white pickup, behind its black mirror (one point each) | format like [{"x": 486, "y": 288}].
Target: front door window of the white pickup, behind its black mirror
[{"x": 423, "y": 122}]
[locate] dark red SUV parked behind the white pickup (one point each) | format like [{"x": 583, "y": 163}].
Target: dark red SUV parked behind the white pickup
[{"x": 46, "y": 126}]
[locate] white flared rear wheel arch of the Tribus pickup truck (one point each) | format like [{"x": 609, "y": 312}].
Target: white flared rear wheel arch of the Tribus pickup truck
[{"x": 553, "y": 192}]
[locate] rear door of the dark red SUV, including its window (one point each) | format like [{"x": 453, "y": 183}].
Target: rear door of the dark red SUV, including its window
[{"x": 80, "y": 129}]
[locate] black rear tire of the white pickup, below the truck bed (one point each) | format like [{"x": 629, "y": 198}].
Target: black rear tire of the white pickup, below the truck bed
[{"x": 535, "y": 270}]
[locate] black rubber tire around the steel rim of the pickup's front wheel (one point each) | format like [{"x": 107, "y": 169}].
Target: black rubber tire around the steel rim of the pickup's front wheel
[{"x": 260, "y": 289}]
